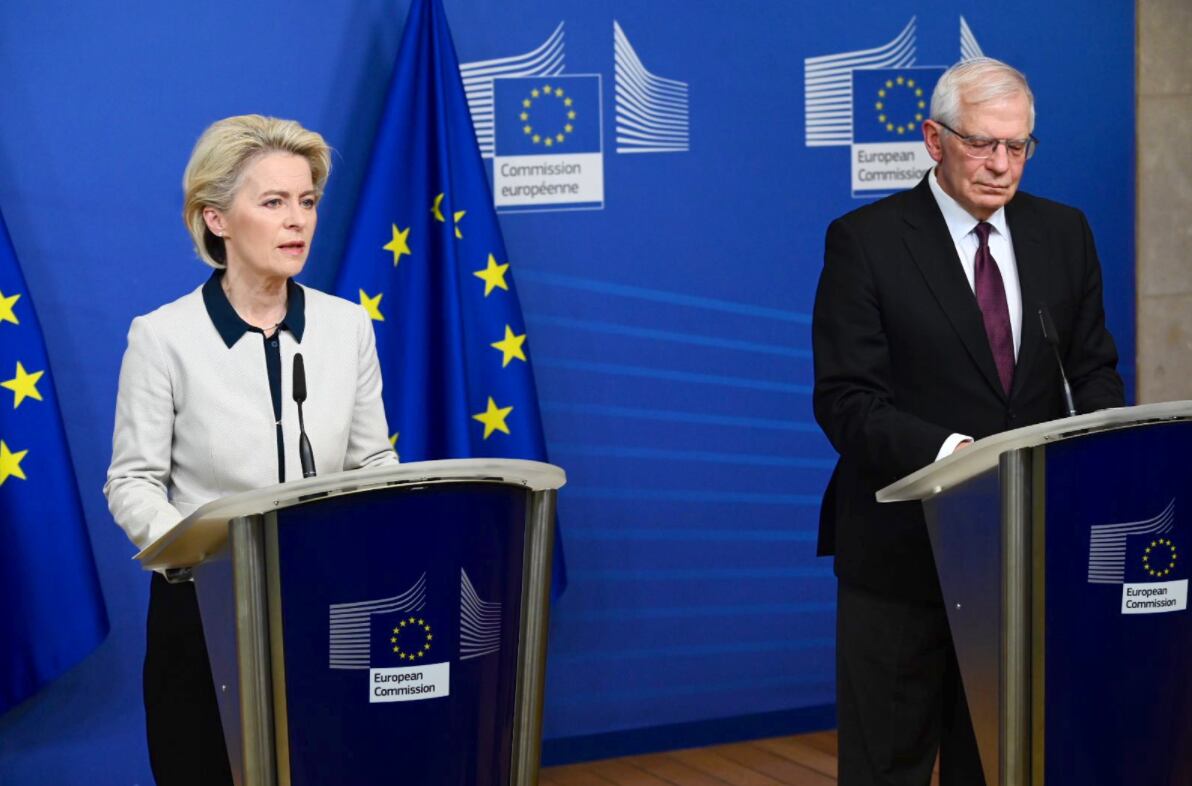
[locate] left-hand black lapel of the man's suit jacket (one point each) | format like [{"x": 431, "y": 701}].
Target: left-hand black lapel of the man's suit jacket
[{"x": 934, "y": 252}]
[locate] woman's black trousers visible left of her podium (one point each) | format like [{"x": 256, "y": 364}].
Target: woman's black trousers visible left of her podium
[{"x": 187, "y": 744}]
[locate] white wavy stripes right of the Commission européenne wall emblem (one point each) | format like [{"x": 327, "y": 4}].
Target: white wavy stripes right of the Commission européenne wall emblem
[{"x": 653, "y": 113}]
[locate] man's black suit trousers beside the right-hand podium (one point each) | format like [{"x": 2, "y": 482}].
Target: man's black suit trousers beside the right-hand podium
[{"x": 899, "y": 696}]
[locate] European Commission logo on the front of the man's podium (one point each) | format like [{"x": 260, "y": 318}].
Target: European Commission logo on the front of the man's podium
[{"x": 1147, "y": 559}]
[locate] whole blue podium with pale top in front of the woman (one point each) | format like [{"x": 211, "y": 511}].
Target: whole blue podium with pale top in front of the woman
[{"x": 378, "y": 627}]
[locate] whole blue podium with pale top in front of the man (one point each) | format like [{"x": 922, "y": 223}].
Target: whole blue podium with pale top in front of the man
[{"x": 1064, "y": 554}]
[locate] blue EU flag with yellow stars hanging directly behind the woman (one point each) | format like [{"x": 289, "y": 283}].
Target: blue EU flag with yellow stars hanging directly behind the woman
[{"x": 427, "y": 261}]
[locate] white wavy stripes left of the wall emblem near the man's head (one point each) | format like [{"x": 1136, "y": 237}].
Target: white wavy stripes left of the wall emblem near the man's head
[{"x": 828, "y": 86}]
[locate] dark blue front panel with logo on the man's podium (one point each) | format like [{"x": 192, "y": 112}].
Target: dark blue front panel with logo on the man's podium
[{"x": 1119, "y": 678}]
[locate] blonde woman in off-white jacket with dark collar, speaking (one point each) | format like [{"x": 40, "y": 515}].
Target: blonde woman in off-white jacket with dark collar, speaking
[{"x": 206, "y": 410}]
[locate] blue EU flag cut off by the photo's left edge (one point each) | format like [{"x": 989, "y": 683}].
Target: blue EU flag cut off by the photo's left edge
[{"x": 53, "y": 610}]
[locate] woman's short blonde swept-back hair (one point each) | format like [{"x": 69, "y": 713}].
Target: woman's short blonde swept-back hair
[{"x": 220, "y": 160}]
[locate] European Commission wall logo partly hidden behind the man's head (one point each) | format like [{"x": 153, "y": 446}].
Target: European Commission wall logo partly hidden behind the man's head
[{"x": 874, "y": 102}]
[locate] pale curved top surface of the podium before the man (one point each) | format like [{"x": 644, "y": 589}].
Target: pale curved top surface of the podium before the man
[{"x": 984, "y": 455}]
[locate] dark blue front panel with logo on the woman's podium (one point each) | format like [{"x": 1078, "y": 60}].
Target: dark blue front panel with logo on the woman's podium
[{"x": 400, "y": 623}]
